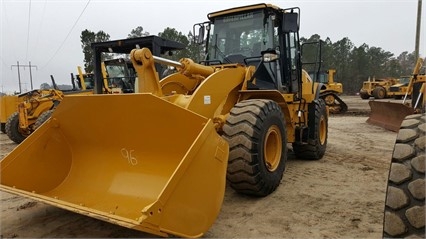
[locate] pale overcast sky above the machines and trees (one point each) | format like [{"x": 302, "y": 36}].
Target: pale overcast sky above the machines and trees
[{"x": 47, "y": 32}]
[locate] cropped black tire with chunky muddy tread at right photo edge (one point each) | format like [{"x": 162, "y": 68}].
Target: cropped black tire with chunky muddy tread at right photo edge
[{"x": 404, "y": 214}]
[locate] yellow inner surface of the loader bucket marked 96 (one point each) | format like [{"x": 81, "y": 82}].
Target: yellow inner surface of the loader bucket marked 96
[{"x": 112, "y": 153}]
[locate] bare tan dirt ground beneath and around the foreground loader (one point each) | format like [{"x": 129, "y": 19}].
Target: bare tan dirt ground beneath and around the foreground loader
[{"x": 339, "y": 196}]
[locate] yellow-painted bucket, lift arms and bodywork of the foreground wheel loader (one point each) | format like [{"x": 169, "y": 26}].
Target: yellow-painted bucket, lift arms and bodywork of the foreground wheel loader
[{"x": 155, "y": 160}]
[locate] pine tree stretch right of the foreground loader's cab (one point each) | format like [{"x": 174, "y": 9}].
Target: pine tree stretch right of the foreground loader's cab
[{"x": 355, "y": 64}]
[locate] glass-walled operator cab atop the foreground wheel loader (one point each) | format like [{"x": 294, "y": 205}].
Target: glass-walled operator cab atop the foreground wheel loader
[{"x": 260, "y": 35}]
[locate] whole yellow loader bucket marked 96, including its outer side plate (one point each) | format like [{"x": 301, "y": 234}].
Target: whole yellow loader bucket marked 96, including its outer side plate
[{"x": 134, "y": 160}]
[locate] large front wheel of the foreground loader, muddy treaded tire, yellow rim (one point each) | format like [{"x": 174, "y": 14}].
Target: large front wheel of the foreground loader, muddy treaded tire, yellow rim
[{"x": 256, "y": 133}]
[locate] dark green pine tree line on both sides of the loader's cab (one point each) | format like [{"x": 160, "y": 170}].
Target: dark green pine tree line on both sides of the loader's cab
[{"x": 354, "y": 64}]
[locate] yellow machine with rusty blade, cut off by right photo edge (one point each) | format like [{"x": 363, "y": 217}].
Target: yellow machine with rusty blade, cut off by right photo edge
[{"x": 390, "y": 115}]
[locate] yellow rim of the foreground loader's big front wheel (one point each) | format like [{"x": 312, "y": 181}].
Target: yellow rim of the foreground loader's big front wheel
[{"x": 272, "y": 148}]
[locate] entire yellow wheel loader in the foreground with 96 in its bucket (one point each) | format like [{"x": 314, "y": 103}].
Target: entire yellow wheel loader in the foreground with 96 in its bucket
[{"x": 158, "y": 160}]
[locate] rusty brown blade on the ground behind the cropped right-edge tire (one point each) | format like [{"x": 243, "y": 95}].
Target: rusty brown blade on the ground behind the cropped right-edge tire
[{"x": 388, "y": 115}]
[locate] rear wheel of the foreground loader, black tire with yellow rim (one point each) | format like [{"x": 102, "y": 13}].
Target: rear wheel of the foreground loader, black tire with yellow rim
[{"x": 315, "y": 148}]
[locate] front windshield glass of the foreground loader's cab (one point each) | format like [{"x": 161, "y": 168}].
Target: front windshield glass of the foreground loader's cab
[{"x": 238, "y": 36}]
